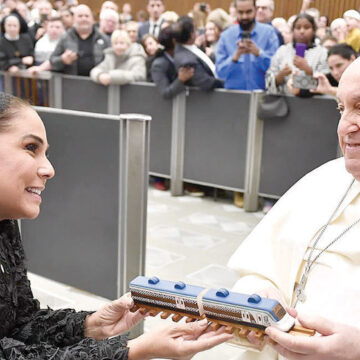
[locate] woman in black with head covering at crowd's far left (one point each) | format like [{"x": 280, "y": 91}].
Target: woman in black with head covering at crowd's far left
[{"x": 16, "y": 50}]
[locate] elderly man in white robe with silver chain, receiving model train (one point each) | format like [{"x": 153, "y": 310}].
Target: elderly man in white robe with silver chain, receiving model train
[{"x": 307, "y": 256}]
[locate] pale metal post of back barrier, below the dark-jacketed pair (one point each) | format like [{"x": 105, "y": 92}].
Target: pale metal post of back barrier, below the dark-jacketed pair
[{"x": 178, "y": 144}]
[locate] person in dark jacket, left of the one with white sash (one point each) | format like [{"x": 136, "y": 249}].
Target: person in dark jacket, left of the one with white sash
[{"x": 168, "y": 80}]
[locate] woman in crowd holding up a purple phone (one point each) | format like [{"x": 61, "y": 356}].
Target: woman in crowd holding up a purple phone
[{"x": 285, "y": 62}]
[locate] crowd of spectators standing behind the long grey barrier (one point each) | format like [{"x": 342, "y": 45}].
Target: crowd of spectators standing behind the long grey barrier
[{"x": 244, "y": 48}]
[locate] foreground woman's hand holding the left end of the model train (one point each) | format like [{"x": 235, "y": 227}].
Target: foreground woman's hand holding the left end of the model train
[{"x": 112, "y": 319}]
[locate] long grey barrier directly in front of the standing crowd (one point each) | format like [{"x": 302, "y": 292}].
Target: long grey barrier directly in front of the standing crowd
[{"x": 215, "y": 138}]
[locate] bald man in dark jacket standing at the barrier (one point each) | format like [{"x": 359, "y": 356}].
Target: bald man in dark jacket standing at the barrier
[{"x": 81, "y": 48}]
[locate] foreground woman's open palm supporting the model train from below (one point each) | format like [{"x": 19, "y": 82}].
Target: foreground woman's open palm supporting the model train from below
[{"x": 176, "y": 341}]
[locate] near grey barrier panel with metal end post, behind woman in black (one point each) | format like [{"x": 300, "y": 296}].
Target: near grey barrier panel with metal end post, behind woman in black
[{"x": 93, "y": 218}]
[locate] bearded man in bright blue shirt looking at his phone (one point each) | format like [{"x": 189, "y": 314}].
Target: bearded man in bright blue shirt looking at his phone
[{"x": 244, "y": 51}]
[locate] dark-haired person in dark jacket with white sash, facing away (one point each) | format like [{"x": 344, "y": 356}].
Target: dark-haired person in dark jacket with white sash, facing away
[{"x": 187, "y": 54}]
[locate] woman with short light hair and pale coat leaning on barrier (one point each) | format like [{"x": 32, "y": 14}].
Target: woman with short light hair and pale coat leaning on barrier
[{"x": 124, "y": 62}]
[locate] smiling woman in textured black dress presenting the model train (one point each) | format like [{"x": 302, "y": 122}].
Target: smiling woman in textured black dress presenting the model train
[{"x": 27, "y": 332}]
